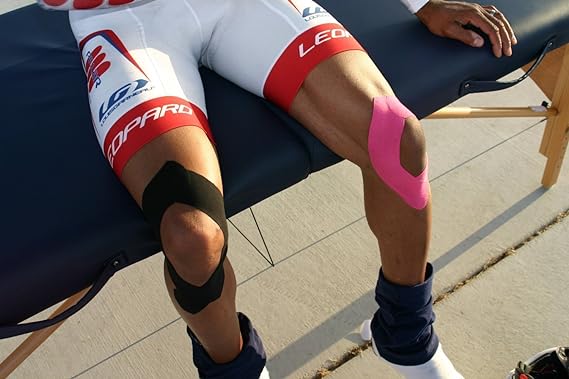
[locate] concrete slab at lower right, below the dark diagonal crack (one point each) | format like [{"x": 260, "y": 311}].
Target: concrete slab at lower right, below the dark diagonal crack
[{"x": 514, "y": 309}]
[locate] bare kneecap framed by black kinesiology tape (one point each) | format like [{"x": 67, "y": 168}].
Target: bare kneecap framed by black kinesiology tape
[{"x": 192, "y": 242}]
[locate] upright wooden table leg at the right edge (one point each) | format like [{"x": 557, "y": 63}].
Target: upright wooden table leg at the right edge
[{"x": 556, "y": 134}]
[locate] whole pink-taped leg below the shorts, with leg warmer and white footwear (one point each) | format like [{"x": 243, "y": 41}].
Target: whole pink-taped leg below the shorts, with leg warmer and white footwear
[{"x": 359, "y": 123}]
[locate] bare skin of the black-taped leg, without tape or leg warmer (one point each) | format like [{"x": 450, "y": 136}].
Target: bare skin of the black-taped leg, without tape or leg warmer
[{"x": 191, "y": 240}]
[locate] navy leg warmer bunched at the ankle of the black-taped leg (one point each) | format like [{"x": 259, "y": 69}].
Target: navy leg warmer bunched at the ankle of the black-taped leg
[{"x": 249, "y": 364}]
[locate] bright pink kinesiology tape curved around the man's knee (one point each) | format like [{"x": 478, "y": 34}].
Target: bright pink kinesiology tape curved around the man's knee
[{"x": 384, "y": 142}]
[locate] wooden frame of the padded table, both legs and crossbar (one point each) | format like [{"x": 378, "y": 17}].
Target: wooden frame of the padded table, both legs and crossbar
[{"x": 552, "y": 76}]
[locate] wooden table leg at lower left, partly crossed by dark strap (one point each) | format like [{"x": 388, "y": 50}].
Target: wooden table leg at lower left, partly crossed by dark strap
[{"x": 26, "y": 348}]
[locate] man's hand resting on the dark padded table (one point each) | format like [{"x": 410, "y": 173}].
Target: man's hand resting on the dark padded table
[{"x": 448, "y": 18}]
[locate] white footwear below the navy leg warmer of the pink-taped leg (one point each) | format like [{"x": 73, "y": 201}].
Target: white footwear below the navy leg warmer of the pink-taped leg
[{"x": 438, "y": 367}]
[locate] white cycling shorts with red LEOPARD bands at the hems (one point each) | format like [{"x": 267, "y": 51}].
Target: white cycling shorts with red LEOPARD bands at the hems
[{"x": 142, "y": 60}]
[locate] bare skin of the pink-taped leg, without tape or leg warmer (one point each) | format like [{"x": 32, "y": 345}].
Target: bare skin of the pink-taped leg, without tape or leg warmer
[{"x": 342, "y": 123}]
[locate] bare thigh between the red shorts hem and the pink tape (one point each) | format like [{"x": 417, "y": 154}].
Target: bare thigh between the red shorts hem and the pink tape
[{"x": 335, "y": 103}]
